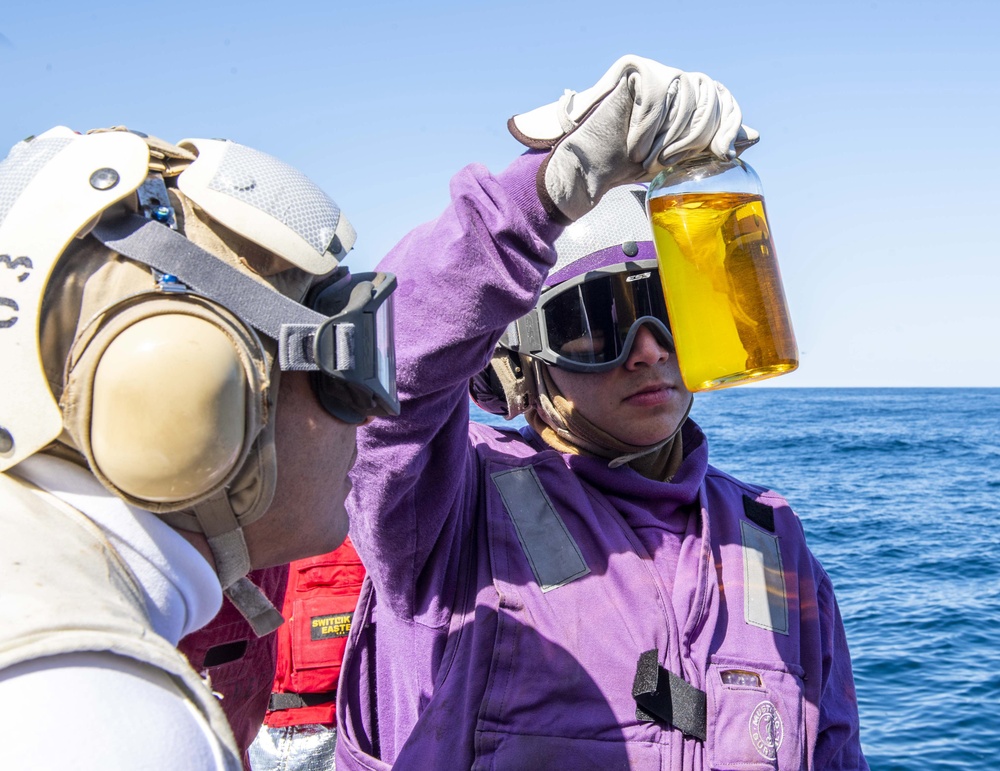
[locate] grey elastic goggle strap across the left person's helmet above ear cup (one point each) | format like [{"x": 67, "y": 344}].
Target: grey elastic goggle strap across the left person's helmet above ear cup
[{"x": 262, "y": 307}]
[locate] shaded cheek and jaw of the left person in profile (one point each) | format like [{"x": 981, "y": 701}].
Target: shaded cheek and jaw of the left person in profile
[{"x": 315, "y": 452}]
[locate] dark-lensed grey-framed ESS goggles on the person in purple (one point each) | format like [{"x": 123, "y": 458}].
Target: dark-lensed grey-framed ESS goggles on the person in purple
[{"x": 588, "y": 323}]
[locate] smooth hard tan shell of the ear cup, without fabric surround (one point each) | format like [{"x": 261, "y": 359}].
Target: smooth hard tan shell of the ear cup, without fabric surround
[{"x": 168, "y": 413}]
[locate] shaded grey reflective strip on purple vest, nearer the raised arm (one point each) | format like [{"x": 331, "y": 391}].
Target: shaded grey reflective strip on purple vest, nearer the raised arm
[{"x": 554, "y": 556}]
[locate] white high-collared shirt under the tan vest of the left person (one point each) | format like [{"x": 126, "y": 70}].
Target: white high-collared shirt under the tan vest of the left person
[{"x": 99, "y": 711}]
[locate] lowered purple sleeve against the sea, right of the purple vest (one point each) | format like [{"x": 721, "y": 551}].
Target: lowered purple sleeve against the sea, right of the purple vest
[{"x": 838, "y": 742}]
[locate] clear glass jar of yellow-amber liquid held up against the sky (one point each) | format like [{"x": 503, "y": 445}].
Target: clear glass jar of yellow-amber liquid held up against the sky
[{"x": 727, "y": 307}]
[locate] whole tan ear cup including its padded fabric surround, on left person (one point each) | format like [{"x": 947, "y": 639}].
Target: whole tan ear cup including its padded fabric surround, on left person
[{"x": 165, "y": 397}]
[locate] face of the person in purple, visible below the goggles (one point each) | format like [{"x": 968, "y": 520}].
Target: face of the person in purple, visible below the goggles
[{"x": 641, "y": 402}]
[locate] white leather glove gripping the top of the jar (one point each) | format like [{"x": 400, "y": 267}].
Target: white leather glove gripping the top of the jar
[{"x": 640, "y": 117}]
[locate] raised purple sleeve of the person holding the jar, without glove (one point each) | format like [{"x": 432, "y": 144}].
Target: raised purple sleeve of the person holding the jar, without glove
[{"x": 461, "y": 279}]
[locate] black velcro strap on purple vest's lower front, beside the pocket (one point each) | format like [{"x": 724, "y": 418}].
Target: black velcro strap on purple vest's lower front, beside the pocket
[{"x": 663, "y": 696}]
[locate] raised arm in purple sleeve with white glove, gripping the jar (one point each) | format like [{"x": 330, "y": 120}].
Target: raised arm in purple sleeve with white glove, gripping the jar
[{"x": 480, "y": 265}]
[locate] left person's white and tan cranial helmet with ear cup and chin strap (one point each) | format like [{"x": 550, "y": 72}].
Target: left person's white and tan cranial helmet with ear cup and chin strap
[{"x": 108, "y": 352}]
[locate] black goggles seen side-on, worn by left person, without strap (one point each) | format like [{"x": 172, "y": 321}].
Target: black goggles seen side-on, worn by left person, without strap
[{"x": 354, "y": 349}]
